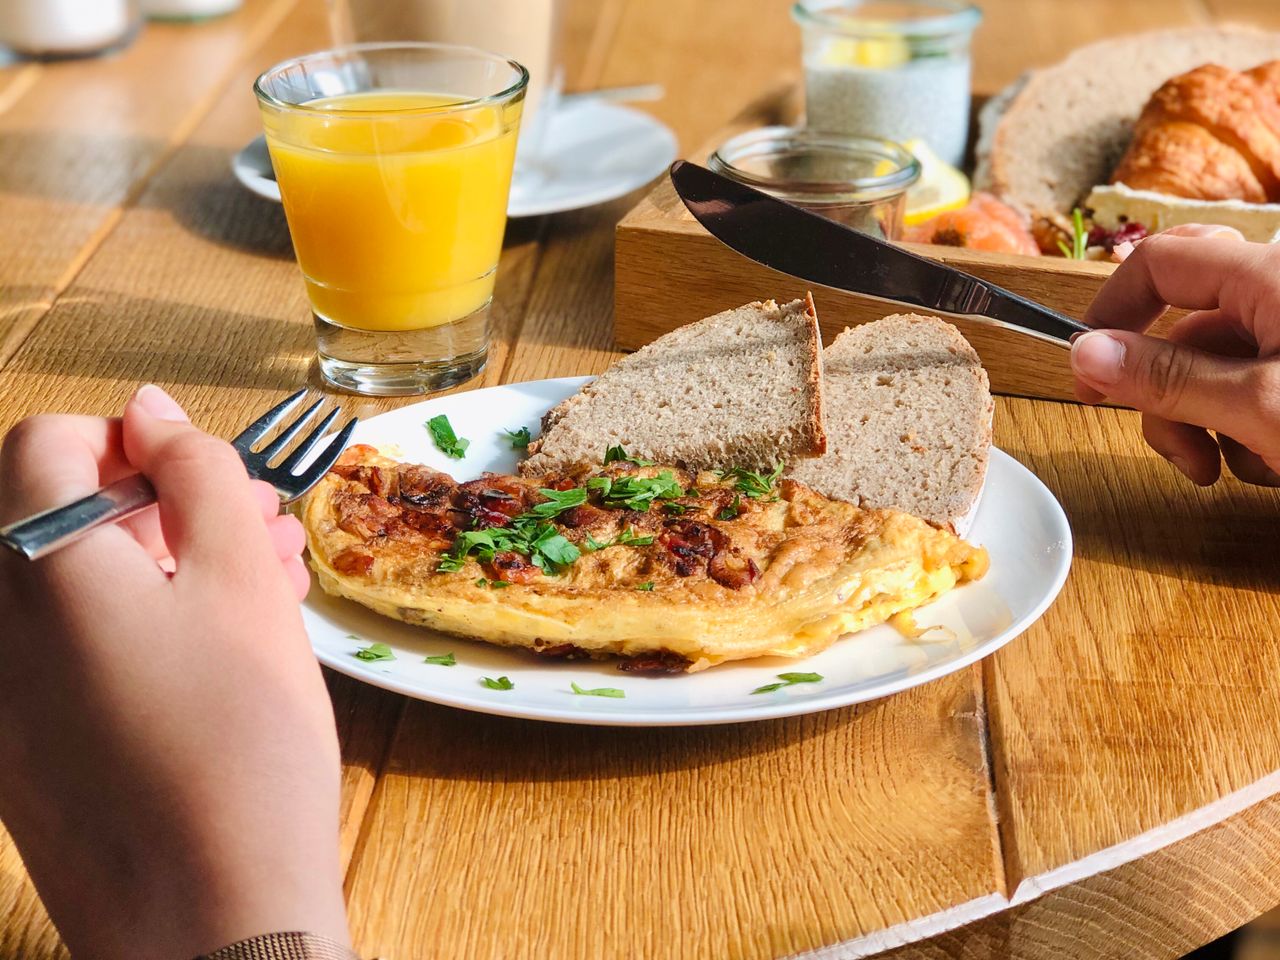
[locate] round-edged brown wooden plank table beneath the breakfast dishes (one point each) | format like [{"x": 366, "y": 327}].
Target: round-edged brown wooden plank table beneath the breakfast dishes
[{"x": 1104, "y": 787}]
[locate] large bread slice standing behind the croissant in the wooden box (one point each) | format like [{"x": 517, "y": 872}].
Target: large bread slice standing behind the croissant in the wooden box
[{"x": 1067, "y": 127}]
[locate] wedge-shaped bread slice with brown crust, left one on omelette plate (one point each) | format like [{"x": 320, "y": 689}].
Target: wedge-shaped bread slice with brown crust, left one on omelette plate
[{"x": 740, "y": 388}]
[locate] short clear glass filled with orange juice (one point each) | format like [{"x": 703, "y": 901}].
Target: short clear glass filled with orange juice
[{"x": 395, "y": 164}]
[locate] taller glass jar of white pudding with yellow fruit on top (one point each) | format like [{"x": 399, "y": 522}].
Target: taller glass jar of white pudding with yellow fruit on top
[{"x": 897, "y": 68}]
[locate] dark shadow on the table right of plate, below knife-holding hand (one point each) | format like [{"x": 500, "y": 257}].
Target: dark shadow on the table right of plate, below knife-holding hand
[{"x": 1132, "y": 511}]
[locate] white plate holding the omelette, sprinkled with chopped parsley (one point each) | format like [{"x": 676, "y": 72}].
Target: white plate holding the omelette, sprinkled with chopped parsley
[{"x": 1018, "y": 522}]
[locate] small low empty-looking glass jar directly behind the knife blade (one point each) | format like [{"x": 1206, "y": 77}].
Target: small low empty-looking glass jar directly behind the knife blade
[{"x": 857, "y": 181}]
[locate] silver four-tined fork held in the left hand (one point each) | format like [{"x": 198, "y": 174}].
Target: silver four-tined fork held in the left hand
[{"x": 44, "y": 533}]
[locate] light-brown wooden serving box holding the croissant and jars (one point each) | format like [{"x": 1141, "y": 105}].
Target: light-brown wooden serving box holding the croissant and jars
[{"x": 670, "y": 272}]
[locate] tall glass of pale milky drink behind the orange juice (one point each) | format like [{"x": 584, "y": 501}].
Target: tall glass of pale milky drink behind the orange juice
[{"x": 528, "y": 31}]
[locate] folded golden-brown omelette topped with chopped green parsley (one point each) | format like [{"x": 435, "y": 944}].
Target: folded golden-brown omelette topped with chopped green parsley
[{"x": 666, "y": 570}]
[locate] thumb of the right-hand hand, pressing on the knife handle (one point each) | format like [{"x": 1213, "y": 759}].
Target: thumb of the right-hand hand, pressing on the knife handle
[{"x": 1172, "y": 381}]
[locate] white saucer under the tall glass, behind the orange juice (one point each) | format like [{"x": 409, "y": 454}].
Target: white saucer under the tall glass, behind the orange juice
[{"x": 596, "y": 153}]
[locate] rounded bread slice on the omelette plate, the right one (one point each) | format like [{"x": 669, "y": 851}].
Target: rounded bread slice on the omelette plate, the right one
[{"x": 908, "y": 417}]
